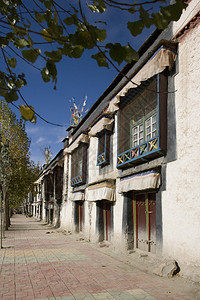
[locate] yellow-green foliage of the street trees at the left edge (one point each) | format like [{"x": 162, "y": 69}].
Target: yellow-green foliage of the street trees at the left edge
[{"x": 17, "y": 172}]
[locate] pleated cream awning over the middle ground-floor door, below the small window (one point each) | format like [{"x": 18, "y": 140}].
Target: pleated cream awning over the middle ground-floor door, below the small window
[{"x": 101, "y": 191}]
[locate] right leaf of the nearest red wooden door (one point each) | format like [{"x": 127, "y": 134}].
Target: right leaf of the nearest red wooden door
[{"x": 152, "y": 222}]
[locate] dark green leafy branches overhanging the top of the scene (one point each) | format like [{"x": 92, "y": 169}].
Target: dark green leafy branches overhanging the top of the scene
[{"x": 49, "y": 30}]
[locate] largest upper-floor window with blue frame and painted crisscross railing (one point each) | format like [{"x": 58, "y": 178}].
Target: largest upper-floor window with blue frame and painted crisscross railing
[{"x": 142, "y": 122}]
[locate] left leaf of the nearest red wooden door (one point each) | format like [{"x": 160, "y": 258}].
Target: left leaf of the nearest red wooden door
[{"x": 141, "y": 228}]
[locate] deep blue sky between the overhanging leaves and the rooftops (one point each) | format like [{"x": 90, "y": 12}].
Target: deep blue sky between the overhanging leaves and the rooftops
[{"x": 76, "y": 79}]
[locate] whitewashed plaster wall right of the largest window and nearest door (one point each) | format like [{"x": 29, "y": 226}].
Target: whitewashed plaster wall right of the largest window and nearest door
[{"x": 180, "y": 201}]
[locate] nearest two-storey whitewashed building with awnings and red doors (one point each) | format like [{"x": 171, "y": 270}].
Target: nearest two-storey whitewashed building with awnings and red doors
[{"x": 131, "y": 166}]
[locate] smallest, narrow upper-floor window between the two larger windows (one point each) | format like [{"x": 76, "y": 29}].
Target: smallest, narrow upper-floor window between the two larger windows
[{"x": 103, "y": 148}]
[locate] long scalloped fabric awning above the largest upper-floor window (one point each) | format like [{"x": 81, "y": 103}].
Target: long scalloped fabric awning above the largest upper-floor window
[{"x": 162, "y": 59}]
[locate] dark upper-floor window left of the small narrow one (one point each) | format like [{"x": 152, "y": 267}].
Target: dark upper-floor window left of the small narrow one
[{"x": 78, "y": 165}]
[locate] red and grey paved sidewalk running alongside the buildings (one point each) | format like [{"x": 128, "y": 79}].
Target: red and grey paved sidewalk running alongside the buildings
[{"x": 38, "y": 262}]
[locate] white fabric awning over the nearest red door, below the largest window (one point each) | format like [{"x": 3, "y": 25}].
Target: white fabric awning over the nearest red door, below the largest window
[{"x": 138, "y": 182}]
